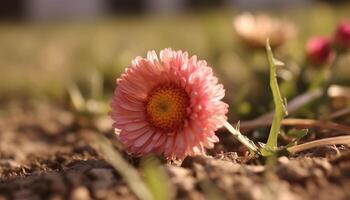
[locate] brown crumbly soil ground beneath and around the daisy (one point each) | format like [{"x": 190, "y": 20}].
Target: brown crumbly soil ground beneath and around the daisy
[{"x": 44, "y": 154}]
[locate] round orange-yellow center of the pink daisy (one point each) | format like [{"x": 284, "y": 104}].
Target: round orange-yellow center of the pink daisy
[{"x": 166, "y": 107}]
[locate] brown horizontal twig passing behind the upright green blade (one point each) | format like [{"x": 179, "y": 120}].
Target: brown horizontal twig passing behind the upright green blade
[{"x": 304, "y": 123}]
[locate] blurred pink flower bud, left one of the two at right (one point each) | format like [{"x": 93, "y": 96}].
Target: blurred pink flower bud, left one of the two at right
[{"x": 319, "y": 51}]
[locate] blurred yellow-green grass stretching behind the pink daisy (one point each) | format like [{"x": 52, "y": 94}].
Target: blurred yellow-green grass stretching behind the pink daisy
[{"x": 38, "y": 59}]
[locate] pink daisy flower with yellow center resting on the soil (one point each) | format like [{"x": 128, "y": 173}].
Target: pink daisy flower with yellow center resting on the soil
[{"x": 169, "y": 105}]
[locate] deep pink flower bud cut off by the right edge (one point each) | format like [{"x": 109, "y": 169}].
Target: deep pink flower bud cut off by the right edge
[{"x": 342, "y": 36}]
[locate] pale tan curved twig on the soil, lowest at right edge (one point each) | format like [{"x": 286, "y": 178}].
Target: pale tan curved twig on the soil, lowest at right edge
[{"x": 318, "y": 143}]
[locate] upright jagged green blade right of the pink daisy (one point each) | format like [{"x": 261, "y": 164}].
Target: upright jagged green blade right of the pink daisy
[{"x": 280, "y": 108}]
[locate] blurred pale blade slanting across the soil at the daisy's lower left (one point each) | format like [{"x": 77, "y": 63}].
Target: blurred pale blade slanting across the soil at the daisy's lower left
[{"x": 128, "y": 172}]
